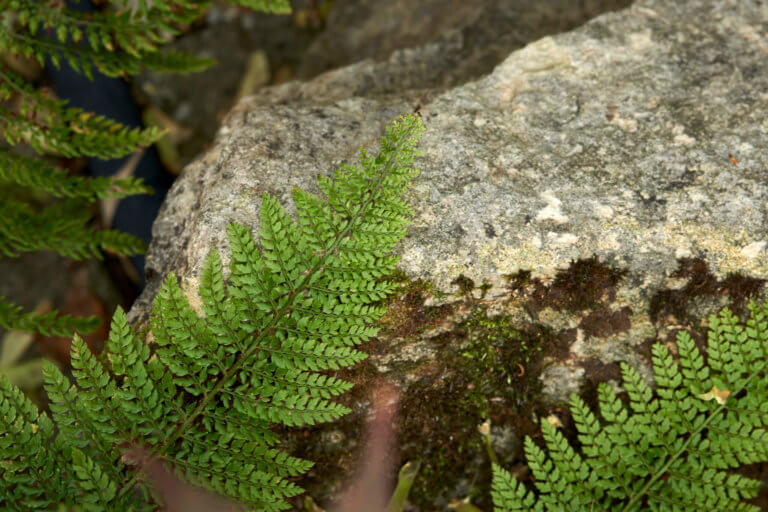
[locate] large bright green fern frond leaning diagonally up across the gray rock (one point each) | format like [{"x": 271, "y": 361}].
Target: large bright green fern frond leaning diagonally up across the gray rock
[{"x": 204, "y": 392}]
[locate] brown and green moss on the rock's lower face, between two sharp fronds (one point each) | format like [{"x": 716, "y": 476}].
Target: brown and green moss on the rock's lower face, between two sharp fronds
[{"x": 486, "y": 367}]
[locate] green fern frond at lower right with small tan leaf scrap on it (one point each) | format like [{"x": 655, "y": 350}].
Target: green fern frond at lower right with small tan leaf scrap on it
[{"x": 667, "y": 450}]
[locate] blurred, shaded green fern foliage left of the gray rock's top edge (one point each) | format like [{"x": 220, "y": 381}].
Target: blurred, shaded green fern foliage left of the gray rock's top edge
[{"x": 120, "y": 40}]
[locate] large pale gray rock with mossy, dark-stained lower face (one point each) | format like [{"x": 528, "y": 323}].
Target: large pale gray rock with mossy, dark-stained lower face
[{"x": 598, "y": 191}]
